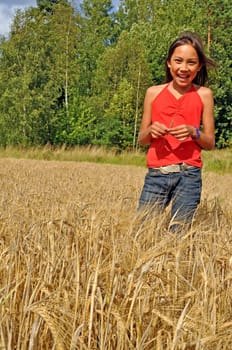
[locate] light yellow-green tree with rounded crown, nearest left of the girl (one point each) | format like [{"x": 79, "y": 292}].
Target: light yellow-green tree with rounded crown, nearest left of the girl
[{"x": 123, "y": 67}]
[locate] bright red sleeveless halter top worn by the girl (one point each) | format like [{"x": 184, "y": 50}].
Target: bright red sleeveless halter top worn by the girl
[{"x": 169, "y": 110}]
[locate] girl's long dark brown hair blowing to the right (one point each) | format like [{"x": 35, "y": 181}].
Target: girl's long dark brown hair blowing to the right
[{"x": 194, "y": 40}]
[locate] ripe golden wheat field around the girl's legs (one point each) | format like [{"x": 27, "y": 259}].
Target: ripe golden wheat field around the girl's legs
[{"x": 79, "y": 268}]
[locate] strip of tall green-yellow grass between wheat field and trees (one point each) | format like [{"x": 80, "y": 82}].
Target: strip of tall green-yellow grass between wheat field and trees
[{"x": 219, "y": 161}]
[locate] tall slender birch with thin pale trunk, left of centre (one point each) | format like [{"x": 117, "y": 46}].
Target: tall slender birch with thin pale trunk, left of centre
[{"x": 64, "y": 70}]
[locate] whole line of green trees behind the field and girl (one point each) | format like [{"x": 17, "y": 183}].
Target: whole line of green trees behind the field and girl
[{"x": 78, "y": 76}]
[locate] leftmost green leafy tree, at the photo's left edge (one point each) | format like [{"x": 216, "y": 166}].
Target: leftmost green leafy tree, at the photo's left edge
[{"x": 16, "y": 98}]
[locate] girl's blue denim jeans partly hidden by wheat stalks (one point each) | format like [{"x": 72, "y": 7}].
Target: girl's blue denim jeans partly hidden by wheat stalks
[{"x": 182, "y": 189}]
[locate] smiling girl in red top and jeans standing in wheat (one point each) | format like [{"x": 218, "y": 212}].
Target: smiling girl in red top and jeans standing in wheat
[{"x": 173, "y": 113}]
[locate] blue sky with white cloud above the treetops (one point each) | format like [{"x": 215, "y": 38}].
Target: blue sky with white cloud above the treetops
[{"x": 8, "y": 8}]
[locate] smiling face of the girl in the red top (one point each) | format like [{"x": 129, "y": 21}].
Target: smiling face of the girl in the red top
[{"x": 184, "y": 65}]
